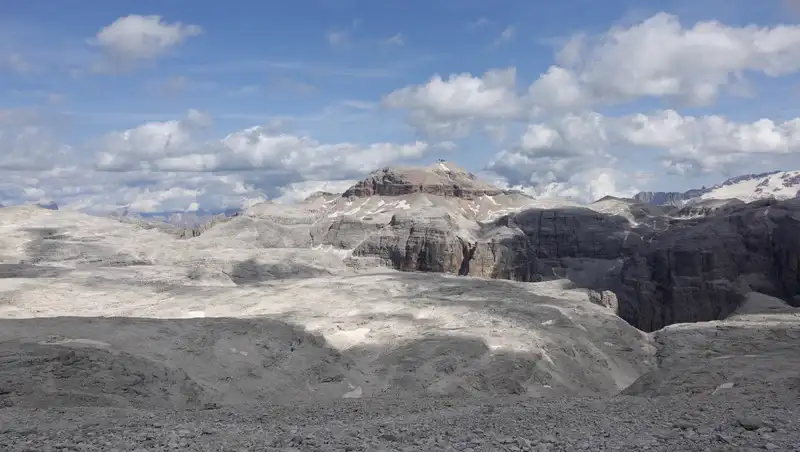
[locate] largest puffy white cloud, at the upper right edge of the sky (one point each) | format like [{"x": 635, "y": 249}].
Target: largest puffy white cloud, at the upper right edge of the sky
[{"x": 662, "y": 58}]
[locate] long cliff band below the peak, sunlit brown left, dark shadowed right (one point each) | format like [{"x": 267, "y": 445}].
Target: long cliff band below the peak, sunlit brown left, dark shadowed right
[{"x": 695, "y": 270}]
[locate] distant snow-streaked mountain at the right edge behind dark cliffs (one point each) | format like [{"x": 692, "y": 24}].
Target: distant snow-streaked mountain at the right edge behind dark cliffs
[{"x": 747, "y": 188}]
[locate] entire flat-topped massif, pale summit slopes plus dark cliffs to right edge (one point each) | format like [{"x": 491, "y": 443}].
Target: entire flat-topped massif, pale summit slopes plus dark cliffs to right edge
[{"x": 653, "y": 265}]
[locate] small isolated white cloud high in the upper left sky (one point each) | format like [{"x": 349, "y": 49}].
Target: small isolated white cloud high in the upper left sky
[{"x": 135, "y": 38}]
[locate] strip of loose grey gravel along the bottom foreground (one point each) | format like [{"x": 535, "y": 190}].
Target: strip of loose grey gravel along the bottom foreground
[{"x": 730, "y": 421}]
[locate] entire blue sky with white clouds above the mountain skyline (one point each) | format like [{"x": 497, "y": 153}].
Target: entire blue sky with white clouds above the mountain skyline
[{"x": 167, "y": 106}]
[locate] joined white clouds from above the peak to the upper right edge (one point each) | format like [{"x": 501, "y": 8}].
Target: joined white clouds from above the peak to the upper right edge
[{"x": 657, "y": 58}]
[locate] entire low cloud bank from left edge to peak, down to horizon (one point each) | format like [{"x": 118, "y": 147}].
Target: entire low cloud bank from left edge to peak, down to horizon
[{"x": 165, "y": 166}]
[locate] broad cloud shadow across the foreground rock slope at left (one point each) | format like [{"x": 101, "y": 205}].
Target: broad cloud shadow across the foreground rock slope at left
[{"x": 205, "y": 362}]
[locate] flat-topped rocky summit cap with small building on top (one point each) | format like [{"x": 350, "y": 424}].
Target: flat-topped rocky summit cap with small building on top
[{"x": 442, "y": 179}]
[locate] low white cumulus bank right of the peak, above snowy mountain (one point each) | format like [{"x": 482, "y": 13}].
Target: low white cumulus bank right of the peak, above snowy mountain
[{"x": 563, "y": 151}]
